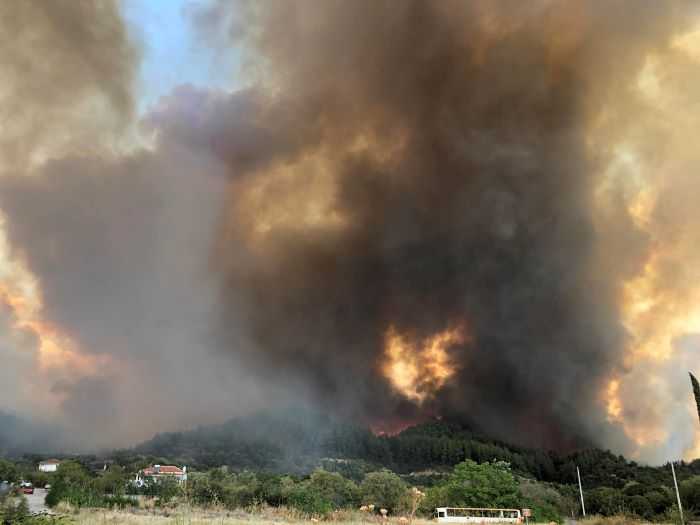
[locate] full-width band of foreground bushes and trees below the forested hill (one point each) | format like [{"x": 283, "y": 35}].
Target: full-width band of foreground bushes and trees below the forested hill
[{"x": 325, "y": 495}]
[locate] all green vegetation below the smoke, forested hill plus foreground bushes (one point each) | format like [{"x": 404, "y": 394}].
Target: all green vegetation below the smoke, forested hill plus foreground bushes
[{"x": 316, "y": 466}]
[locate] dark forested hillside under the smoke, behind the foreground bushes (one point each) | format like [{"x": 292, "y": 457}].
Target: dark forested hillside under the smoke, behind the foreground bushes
[{"x": 298, "y": 440}]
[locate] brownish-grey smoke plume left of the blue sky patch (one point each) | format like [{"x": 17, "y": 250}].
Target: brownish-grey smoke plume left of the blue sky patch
[{"x": 68, "y": 70}]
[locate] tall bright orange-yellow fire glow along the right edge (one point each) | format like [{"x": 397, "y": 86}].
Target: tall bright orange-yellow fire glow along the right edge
[{"x": 660, "y": 301}]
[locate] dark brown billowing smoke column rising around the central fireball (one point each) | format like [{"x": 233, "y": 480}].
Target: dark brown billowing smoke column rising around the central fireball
[{"x": 419, "y": 168}]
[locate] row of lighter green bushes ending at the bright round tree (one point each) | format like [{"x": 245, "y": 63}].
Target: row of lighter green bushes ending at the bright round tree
[{"x": 318, "y": 494}]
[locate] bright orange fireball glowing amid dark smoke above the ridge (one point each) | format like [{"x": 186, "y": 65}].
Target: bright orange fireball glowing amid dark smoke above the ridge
[{"x": 417, "y": 372}]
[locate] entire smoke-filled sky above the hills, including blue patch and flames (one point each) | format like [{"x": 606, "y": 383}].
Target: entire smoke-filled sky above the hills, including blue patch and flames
[{"x": 477, "y": 210}]
